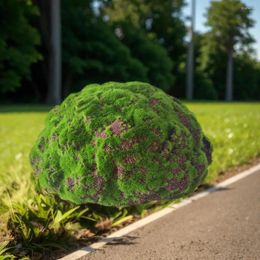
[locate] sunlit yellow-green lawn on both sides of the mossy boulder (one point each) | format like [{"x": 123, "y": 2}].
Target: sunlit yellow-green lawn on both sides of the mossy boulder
[{"x": 234, "y": 130}]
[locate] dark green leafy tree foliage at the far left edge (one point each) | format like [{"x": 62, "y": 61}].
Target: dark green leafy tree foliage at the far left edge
[{"x": 18, "y": 43}]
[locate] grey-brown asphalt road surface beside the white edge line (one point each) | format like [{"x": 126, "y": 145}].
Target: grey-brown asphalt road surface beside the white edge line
[{"x": 223, "y": 225}]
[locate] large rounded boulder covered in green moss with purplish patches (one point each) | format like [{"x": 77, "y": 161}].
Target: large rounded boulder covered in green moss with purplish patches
[{"x": 120, "y": 144}]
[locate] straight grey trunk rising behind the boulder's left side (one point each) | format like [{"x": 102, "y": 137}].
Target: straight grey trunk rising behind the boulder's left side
[{"x": 54, "y": 88}]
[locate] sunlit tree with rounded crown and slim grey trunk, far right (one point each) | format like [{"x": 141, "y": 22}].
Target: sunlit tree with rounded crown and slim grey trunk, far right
[{"x": 229, "y": 22}]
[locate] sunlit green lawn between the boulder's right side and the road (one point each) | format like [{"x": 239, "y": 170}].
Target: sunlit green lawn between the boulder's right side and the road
[{"x": 234, "y": 130}]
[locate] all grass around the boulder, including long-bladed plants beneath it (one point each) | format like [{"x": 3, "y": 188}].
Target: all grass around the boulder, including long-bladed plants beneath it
[{"x": 33, "y": 224}]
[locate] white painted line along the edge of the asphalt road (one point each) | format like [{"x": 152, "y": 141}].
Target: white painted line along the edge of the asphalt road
[{"x": 140, "y": 223}]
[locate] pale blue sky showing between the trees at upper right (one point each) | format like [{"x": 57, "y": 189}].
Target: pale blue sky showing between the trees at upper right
[{"x": 202, "y": 5}]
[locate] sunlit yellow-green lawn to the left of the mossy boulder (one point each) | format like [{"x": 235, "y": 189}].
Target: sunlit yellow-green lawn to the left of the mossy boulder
[{"x": 18, "y": 131}]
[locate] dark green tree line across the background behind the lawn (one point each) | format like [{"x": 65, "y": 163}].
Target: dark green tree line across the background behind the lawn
[{"x": 125, "y": 40}]
